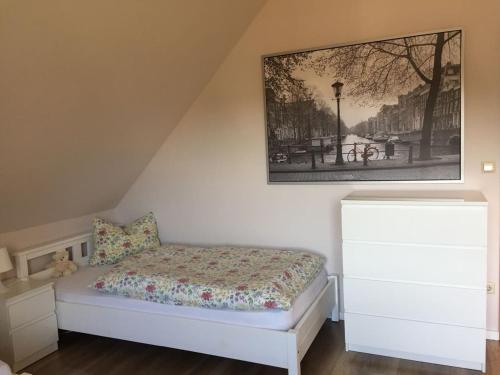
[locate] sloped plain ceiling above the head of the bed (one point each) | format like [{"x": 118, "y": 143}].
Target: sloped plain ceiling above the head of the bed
[{"x": 90, "y": 89}]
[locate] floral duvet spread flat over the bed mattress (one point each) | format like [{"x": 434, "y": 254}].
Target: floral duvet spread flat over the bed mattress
[{"x": 218, "y": 277}]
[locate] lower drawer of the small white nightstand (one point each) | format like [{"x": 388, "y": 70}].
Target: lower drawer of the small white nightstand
[{"x": 35, "y": 337}]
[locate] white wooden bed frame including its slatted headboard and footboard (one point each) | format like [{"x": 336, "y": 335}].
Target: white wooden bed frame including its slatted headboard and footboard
[{"x": 283, "y": 349}]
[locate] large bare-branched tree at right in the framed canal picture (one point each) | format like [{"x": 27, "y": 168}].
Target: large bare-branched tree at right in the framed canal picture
[{"x": 381, "y": 69}]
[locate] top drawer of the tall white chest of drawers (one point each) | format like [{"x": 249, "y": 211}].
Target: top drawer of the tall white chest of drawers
[{"x": 437, "y": 225}]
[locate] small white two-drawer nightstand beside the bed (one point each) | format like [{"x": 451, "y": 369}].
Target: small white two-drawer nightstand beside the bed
[{"x": 28, "y": 325}]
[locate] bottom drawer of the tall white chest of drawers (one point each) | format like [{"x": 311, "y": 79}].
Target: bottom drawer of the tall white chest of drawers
[{"x": 415, "y": 338}]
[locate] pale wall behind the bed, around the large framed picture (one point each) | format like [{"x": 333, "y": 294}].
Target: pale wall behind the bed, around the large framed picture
[{"x": 207, "y": 183}]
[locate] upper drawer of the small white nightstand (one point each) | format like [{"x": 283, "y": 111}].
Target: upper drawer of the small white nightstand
[{"x": 31, "y": 308}]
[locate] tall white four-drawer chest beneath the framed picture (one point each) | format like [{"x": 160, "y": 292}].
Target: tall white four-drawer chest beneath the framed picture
[{"x": 414, "y": 276}]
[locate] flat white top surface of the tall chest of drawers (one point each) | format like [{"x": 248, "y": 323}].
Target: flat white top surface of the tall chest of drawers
[{"x": 453, "y": 197}]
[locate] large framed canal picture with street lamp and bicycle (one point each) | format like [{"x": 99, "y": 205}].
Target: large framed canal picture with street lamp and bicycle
[{"x": 388, "y": 110}]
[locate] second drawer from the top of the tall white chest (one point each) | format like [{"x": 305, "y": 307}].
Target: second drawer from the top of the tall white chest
[{"x": 445, "y": 265}]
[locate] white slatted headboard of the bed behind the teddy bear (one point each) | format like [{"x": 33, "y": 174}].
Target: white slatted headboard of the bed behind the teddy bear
[{"x": 80, "y": 248}]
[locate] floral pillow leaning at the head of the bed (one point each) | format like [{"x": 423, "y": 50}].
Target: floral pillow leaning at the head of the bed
[{"x": 112, "y": 242}]
